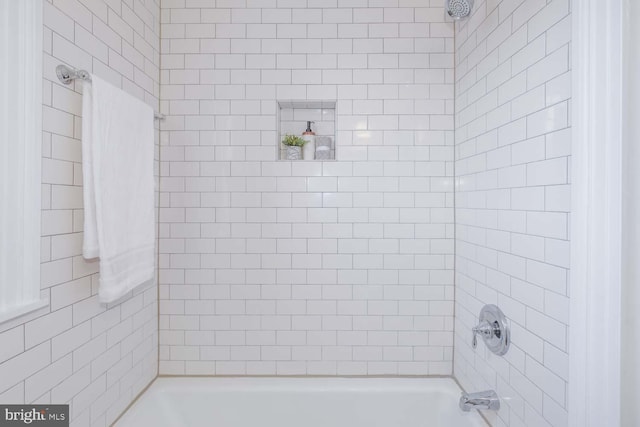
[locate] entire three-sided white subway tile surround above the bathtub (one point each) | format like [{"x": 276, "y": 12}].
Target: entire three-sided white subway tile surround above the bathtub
[{"x": 345, "y": 267}]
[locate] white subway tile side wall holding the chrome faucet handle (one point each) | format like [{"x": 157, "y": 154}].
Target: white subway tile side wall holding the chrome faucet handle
[{"x": 513, "y": 96}]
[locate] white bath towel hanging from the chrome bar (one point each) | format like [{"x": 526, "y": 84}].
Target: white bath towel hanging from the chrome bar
[{"x": 117, "y": 169}]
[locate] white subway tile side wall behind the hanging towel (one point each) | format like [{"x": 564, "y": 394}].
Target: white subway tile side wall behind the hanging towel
[{"x": 97, "y": 358}]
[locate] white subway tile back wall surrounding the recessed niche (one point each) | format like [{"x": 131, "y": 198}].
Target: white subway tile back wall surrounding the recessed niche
[{"x": 320, "y": 268}]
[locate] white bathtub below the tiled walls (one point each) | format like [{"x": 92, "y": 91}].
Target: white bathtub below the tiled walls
[{"x": 300, "y": 402}]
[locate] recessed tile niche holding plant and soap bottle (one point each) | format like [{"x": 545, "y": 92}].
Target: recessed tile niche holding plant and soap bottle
[{"x": 293, "y": 117}]
